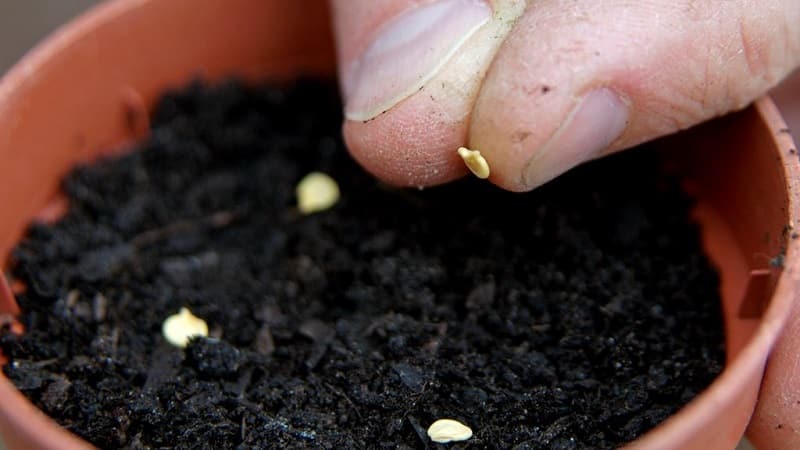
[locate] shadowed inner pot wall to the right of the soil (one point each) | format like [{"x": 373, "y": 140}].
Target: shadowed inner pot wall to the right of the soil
[{"x": 731, "y": 167}]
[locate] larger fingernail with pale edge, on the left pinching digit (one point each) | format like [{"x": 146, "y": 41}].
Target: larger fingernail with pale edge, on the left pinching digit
[{"x": 408, "y": 52}]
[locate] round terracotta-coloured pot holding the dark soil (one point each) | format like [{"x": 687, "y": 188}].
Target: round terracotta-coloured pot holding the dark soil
[{"x": 89, "y": 88}]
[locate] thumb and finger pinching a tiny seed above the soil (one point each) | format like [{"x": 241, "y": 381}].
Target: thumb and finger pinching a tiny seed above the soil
[{"x": 541, "y": 87}]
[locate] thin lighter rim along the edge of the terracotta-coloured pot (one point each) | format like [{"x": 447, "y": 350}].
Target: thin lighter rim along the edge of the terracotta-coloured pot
[{"x": 17, "y": 413}]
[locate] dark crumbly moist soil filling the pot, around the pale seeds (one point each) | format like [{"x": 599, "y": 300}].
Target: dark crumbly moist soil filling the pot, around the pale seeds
[{"x": 577, "y": 316}]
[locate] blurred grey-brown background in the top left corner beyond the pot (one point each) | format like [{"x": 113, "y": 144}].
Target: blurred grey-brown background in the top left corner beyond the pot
[{"x": 23, "y": 23}]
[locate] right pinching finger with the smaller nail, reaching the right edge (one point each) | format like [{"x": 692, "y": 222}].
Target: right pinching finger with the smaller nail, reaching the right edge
[{"x": 577, "y": 80}]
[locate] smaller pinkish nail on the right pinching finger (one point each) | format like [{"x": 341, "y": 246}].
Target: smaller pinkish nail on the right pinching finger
[{"x": 593, "y": 125}]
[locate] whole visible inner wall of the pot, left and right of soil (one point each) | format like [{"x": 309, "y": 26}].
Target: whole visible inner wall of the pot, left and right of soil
[{"x": 92, "y": 91}]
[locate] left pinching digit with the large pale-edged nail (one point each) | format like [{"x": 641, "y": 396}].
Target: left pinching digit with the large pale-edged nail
[{"x": 410, "y": 71}]
